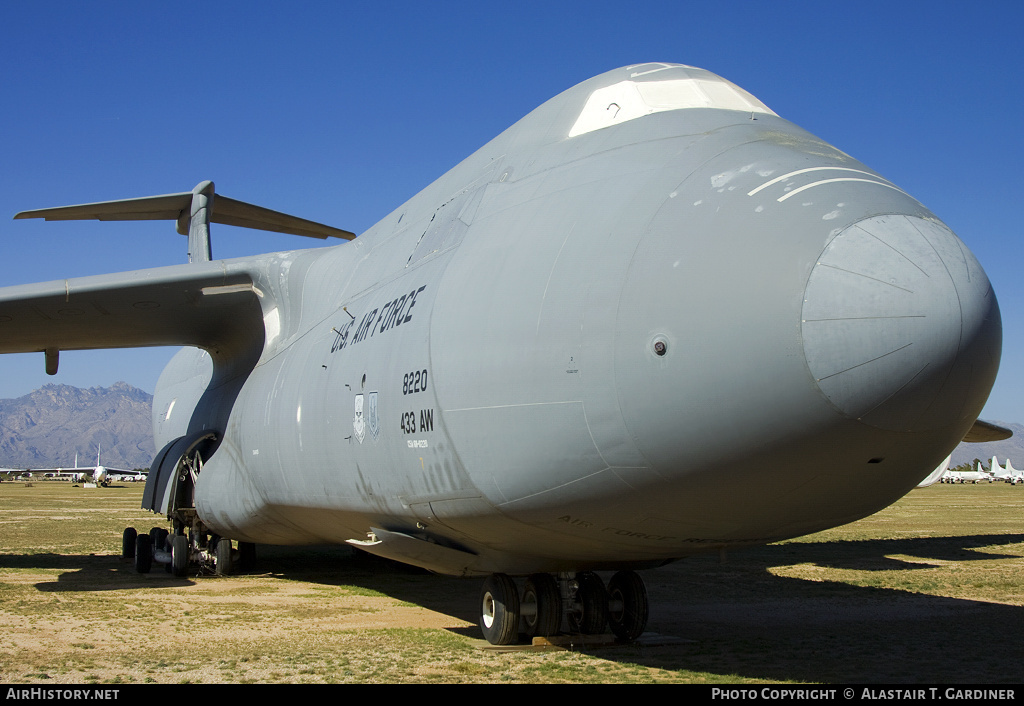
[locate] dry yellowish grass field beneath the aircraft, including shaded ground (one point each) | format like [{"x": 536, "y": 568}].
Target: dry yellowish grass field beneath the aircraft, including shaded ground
[{"x": 931, "y": 590}]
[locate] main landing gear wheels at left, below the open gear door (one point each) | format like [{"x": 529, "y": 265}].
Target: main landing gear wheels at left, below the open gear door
[{"x": 180, "y": 553}]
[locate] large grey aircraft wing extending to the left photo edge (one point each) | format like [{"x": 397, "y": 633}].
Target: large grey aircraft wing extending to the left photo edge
[{"x": 212, "y": 306}]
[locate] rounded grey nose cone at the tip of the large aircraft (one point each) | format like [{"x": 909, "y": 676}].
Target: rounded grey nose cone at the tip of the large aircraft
[{"x": 901, "y": 327}]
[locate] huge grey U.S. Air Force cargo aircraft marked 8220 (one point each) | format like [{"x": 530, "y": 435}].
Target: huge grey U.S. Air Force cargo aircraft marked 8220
[{"x": 651, "y": 319}]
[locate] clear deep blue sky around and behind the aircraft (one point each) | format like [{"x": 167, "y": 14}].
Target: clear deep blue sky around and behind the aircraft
[{"x": 339, "y": 112}]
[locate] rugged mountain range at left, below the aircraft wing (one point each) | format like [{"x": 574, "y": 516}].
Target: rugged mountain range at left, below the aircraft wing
[{"x": 48, "y": 428}]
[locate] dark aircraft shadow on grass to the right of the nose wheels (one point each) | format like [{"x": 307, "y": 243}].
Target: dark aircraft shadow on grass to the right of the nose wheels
[{"x": 747, "y": 620}]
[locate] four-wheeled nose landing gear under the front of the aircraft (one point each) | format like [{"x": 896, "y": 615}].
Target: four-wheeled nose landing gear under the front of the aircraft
[{"x": 582, "y": 599}]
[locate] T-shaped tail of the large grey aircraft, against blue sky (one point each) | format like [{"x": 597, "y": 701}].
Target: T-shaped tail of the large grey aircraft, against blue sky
[{"x": 194, "y": 212}]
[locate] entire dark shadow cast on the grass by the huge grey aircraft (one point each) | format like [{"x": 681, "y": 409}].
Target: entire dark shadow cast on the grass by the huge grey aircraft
[{"x": 736, "y": 619}]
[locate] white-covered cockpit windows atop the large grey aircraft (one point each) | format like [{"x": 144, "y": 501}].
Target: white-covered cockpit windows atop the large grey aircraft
[{"x": 631, "y": 100}]
